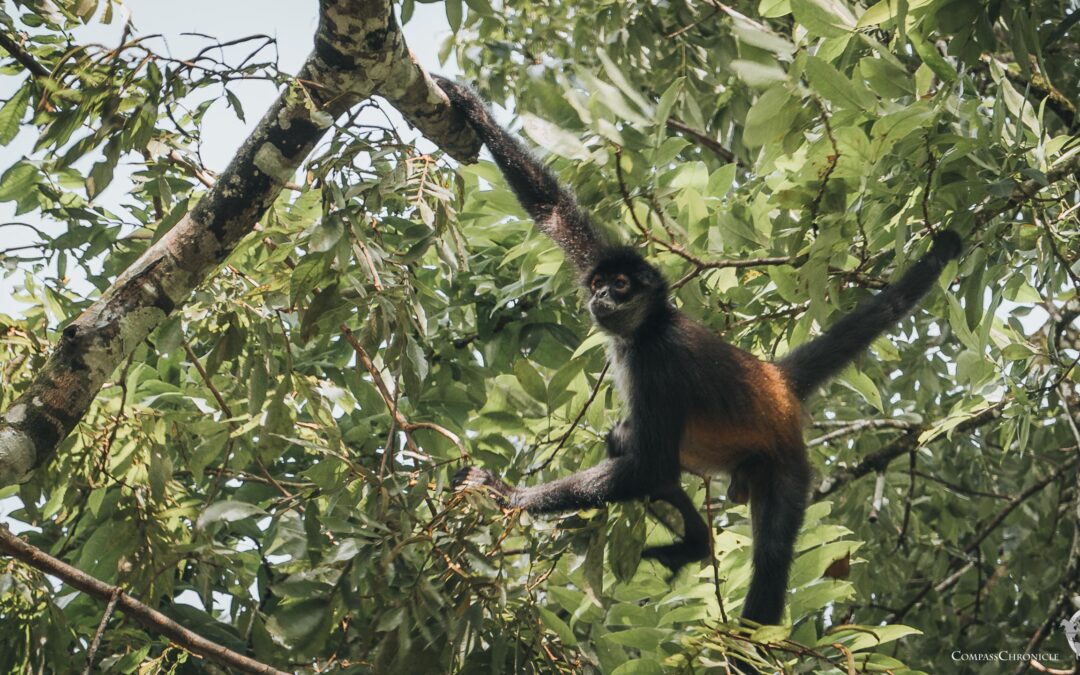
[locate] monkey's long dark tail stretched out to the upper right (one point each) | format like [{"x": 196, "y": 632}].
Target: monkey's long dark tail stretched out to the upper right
[{"x": 811, "y": 364}]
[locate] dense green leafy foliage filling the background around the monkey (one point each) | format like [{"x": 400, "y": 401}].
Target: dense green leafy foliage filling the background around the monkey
[{"x": 279, "y": 453}]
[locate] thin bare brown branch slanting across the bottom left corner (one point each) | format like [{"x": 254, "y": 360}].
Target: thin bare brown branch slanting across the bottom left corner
[{"x": 152, "y": 619}]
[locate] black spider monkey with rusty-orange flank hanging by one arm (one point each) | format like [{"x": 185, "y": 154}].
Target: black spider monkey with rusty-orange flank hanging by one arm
[{"x": 693, "y": 402}]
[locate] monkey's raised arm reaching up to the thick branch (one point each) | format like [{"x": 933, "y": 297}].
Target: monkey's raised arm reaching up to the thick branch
[{"x": 552, "y": 207}]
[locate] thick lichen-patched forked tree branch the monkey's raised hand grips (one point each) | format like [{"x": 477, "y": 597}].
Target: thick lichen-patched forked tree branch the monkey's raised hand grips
[{"x": 359, "y": 51}]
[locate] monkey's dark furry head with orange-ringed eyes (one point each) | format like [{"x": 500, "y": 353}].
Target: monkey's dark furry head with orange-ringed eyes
[{"x": 627, "y": 294}]
